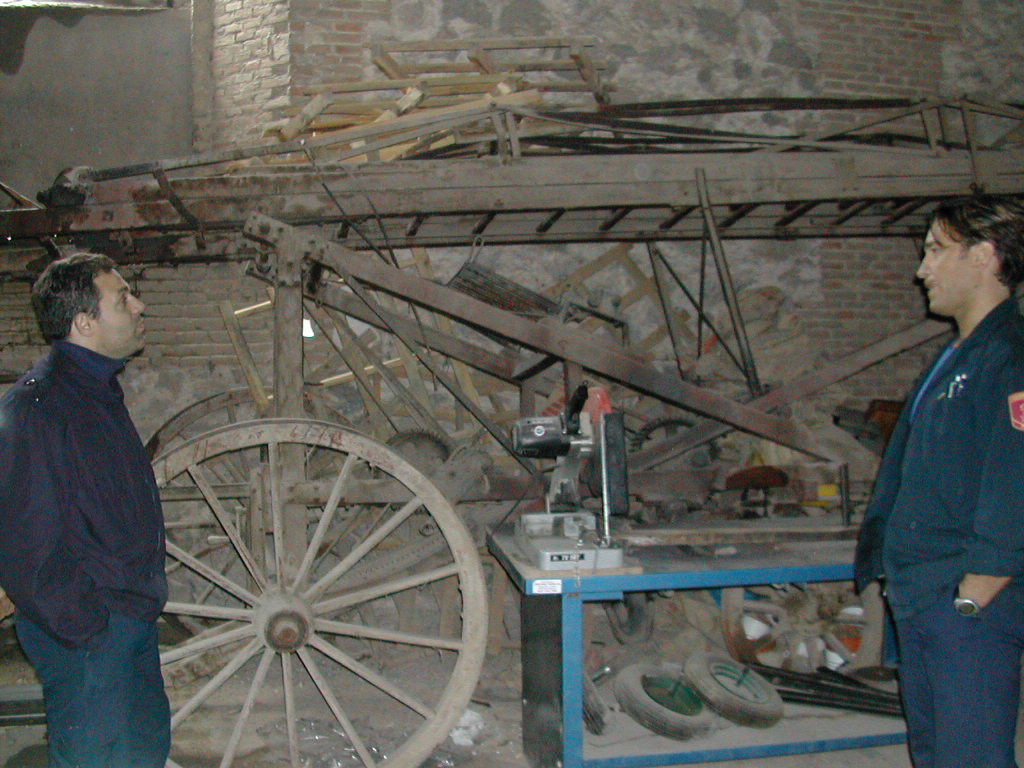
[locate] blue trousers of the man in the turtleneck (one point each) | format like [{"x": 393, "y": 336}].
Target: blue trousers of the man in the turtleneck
[{"x": 106, "y": 706}]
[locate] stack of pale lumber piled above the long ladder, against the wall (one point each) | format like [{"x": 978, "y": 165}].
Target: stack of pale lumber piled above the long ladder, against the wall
[{"x": 439, "y": 94}]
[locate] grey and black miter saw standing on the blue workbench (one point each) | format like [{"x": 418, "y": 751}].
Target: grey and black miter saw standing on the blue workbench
[{"x": 568, "y": 537}]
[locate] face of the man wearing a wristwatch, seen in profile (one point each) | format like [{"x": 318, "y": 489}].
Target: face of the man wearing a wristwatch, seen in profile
[{"x": 951, "y": 278}]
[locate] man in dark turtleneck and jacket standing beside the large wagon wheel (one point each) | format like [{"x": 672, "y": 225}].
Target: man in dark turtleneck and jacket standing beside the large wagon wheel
[{"x": 81, "y": 529}]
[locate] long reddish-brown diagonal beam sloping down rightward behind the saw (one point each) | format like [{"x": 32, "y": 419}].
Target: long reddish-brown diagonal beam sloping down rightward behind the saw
[{"x": 604, "y": 358}]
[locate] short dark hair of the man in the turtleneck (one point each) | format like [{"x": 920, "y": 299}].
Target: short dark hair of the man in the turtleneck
[{"x": 66, "y": 288}]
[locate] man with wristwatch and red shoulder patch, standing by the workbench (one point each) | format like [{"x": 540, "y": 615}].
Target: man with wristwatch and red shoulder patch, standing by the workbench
[{"x": 946, "y": 526}]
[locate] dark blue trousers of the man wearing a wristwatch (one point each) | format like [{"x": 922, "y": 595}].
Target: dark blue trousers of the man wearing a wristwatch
[{"x": 960, "y": 680}]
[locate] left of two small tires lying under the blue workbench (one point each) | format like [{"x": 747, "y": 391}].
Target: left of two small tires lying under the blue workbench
[{"x": 635, "y": 701}]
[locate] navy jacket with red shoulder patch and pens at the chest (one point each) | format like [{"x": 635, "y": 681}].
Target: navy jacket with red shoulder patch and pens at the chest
[{"x": 950, "y": 495}]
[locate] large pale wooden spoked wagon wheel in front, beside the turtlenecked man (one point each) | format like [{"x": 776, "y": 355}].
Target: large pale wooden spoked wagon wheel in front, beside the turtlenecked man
[{"x": 287, "y": 637}]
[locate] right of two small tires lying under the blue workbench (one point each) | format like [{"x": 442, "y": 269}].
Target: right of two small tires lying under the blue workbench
[{"x": 755, "y": 703}]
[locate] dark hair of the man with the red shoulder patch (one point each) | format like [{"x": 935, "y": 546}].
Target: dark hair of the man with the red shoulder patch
[{"x": 995, "y": 219}]
